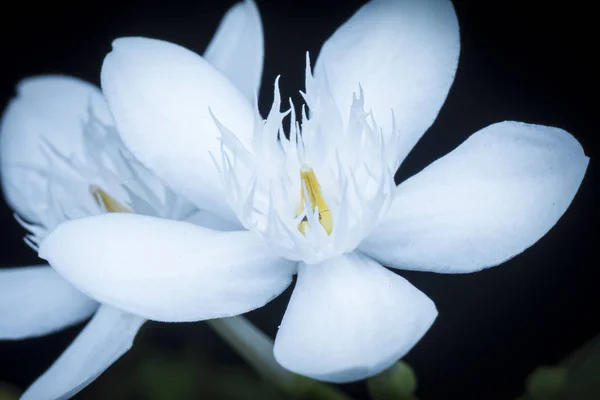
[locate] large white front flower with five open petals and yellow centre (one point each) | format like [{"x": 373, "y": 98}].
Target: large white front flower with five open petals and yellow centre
[{"x": 324, "y": 198}]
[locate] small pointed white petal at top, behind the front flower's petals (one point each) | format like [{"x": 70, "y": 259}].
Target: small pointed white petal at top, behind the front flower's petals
[{"x": 237, "y": 49}]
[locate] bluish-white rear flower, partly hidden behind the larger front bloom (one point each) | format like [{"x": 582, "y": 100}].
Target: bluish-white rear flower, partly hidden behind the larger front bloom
[{"x": 62, "y": 159}]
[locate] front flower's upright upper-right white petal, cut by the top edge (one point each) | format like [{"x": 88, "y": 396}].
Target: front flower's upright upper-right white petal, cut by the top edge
[{"x": 404, "y": 55}]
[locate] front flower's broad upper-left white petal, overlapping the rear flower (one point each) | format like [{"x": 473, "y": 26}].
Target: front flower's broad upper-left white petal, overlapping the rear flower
[{"x": 160, "y": 94}]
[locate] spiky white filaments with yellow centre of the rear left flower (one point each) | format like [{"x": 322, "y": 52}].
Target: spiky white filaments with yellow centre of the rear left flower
[{"x": 106, "y": 178}]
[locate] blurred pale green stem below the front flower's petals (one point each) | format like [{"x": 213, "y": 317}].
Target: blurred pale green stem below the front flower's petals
[{"x": 256, "y": 349}]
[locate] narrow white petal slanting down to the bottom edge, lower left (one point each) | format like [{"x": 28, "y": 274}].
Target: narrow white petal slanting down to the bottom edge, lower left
[{"x": 105, "y": 338}]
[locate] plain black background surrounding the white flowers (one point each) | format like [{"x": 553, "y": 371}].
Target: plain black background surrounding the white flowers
[{"x": 531, "y": 61}]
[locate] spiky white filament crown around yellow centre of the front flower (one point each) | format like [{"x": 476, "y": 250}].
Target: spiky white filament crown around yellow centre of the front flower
[{"x": 318, "y": 192}]
